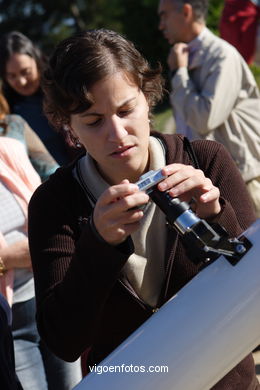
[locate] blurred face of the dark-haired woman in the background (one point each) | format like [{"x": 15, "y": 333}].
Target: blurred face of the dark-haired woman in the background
[{"x": 22, "y": 74}]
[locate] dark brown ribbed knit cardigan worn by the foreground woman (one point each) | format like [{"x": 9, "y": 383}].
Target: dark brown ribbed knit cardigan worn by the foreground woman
[{"x": 81, "y": 300}]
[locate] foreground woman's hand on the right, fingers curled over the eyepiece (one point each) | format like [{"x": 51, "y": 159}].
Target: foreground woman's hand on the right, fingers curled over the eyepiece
[{"x": 188, "y": 183}]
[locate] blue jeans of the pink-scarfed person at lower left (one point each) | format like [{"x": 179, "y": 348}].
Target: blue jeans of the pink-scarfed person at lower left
[{"x": 37, "y": 368}]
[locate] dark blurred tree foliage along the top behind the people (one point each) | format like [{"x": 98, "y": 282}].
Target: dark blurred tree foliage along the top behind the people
[{"x": 46, "y": 22}]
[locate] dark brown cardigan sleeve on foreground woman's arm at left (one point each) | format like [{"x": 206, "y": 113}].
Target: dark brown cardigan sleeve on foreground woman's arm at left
[{"x": 74, "y": 271}]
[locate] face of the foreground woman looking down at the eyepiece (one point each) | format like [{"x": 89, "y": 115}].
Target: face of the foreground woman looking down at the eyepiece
[{"x": 115, "y": 129}]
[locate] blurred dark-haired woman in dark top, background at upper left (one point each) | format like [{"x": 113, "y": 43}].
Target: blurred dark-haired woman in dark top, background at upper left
[{"x": 21, "y": 66}]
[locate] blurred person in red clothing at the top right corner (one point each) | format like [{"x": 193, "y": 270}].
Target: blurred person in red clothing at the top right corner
[{"x": 239, "y": 25}]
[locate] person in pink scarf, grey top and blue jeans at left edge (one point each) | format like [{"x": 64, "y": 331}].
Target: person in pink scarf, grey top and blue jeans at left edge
[{"x": 36, "y": 367}]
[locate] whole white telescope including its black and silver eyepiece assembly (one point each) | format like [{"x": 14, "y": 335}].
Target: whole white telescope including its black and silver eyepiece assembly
[{"x": 208, "y": 327}]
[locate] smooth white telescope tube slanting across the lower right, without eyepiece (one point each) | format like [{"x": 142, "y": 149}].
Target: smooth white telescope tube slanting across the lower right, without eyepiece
[{"x": 198, "y": 336}]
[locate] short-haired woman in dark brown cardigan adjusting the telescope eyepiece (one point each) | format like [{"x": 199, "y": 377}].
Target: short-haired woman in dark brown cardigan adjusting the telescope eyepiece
[{"x": 103, "y": 256}]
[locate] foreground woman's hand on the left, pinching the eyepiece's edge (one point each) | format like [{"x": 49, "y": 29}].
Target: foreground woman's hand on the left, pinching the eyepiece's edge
[{"x": 117, "y": 213}]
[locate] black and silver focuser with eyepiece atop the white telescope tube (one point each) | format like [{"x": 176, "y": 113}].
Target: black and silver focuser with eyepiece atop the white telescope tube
[{"x": 204, "y": 242}]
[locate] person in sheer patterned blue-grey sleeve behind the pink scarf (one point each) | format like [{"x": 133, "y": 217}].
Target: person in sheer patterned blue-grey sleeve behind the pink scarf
[{"x": 14, "y": 126}]
